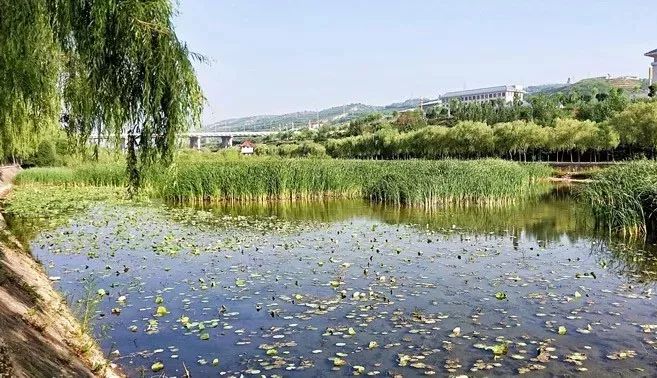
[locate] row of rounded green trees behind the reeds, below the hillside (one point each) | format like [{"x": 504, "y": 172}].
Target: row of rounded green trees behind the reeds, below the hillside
[{"x": 635, "y": 129}]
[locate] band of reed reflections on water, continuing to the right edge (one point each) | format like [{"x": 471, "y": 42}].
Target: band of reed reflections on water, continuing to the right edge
[{"x": 553, "y": 218}]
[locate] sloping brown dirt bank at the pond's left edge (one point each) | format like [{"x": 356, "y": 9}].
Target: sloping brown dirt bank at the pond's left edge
[{"x": 39, "y": 336}]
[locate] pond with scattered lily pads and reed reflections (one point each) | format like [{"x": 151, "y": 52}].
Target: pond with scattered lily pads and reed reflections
[{"x": 343, "y": 287}]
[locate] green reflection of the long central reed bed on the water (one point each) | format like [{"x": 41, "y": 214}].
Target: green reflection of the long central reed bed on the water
[{"x": 549, "y": 218}]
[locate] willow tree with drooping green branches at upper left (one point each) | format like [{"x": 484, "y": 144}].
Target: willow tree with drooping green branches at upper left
[{"x": 111, "y": 67}]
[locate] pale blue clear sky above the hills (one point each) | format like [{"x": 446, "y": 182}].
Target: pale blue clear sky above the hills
[{"x": 281, "y": 56}]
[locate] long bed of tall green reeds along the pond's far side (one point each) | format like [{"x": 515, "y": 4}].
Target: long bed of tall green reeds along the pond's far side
[{"x": 410, "y": 182}]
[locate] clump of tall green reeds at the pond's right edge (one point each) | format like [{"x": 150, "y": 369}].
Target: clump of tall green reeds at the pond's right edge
[{"x": 624, "y": 199}]
